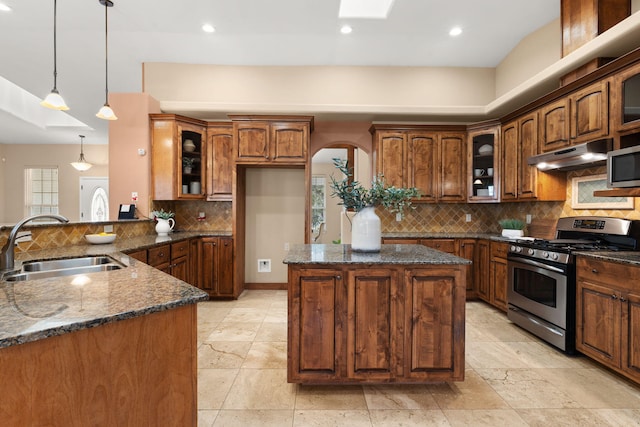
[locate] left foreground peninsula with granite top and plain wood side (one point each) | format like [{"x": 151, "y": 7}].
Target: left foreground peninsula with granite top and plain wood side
[{"x": 107, "y": 348}]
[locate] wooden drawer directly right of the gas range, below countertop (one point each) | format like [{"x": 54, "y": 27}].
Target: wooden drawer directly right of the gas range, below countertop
[{"x": 619, "y": 276}]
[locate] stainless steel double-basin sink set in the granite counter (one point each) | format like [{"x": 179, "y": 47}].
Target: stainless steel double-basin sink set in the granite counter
[{"x": 33, "y": 270}]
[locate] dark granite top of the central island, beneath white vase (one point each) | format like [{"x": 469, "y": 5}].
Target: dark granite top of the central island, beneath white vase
[{"x": 389, "y": 254}]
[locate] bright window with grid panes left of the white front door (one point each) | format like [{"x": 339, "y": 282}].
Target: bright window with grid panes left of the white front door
[{"x": 41, "y": 190}]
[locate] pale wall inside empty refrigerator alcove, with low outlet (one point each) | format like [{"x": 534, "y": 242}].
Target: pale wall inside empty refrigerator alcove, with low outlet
[{"x": 275, "y": 207}]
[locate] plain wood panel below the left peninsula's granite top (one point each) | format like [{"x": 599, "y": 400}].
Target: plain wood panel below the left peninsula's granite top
[{"x": 135, "y": 372}]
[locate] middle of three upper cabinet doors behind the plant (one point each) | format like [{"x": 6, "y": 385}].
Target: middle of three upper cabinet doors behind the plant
[{"x": 421, "y": 170}]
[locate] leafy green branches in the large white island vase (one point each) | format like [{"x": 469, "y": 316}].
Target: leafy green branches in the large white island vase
[{"x": 354, "y": 196}]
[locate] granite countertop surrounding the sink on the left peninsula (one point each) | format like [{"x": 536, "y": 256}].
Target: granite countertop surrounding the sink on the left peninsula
[{"x": 37, "y": 309}]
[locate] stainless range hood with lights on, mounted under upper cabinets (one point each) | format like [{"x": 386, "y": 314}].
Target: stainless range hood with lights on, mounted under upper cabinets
[{"x": 580, "y": 156}]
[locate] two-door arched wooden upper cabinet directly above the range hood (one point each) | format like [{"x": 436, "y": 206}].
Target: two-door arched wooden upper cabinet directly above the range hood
[{"x": 581, "y": 116}]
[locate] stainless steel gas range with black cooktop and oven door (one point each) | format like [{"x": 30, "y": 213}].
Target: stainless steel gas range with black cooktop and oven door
[{"x": 541, "y": 291}]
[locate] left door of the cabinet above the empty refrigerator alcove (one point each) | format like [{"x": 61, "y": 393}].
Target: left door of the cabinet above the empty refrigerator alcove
[{"x": 251, "y": 141}]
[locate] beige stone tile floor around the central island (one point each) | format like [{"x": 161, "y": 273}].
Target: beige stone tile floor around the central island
[{"x": 512, "y": 379}]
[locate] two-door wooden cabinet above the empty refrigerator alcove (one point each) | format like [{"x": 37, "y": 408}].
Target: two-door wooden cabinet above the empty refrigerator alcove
[{"x": 271, "y": 139}]
